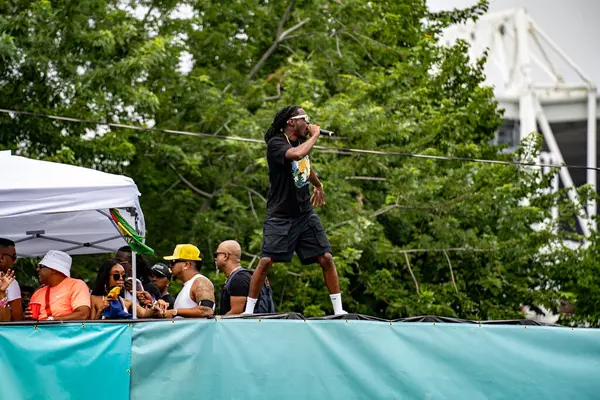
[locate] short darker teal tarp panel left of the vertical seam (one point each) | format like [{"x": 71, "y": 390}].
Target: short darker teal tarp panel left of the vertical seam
[{"x": 66, "y": 361}]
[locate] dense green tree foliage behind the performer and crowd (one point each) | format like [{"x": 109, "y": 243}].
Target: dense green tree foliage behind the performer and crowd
[{"x": 372, "y": 71}]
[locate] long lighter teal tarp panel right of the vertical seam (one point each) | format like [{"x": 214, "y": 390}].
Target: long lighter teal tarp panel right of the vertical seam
[{"x": 282, "y": 359}]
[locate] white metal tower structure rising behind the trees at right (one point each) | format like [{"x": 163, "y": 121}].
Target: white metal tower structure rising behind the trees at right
[{"x": 533, "y": 89}]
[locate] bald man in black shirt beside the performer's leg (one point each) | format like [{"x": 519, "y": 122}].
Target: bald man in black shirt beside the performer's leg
[{"x": 235, "y": 290}]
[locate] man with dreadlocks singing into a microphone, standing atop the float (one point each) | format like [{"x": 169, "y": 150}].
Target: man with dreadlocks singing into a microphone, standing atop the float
[{"x": 291, "y": 223}]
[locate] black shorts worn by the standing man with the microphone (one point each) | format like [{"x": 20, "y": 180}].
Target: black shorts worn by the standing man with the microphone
[{"x": 305, "y": 235}]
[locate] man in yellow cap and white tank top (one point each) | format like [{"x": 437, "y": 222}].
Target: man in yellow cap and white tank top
[{"x": 197, "y": 297}]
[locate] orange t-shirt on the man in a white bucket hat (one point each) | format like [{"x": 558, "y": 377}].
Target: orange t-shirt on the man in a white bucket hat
[{"x": 64, "y": 297}]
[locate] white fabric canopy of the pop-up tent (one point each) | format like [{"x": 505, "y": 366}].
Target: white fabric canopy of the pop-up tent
[{"x": 45, "y": 205}]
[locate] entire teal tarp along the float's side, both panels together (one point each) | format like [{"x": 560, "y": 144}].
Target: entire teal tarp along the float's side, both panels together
[{"x": 291, "y": 359}]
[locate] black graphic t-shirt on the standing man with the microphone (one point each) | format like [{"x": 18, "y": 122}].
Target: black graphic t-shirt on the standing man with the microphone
[{"x": 289, "y": 195}]
